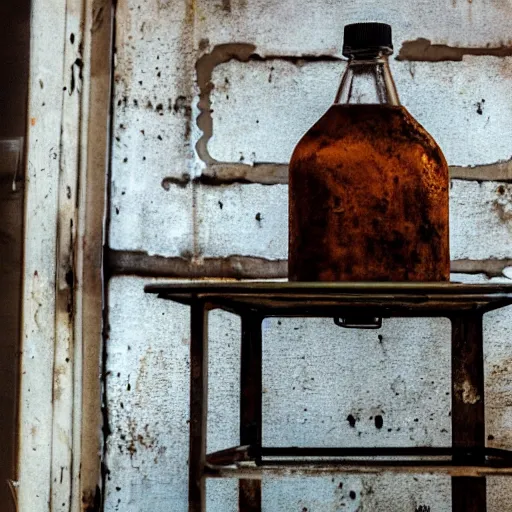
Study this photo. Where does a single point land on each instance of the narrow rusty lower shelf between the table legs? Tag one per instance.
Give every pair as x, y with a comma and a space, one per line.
251, 463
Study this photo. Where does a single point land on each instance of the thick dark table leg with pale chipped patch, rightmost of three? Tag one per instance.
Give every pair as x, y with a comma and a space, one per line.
468, 415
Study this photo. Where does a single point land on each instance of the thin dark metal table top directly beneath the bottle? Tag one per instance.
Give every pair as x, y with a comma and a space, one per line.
301, 297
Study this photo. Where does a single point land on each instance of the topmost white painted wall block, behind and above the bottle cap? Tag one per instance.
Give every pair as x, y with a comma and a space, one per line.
287, 28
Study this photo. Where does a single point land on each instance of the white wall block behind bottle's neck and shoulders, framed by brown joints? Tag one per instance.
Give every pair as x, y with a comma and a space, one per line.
247, 95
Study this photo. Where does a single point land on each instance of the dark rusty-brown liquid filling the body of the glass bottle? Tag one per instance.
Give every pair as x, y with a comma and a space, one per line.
368, 199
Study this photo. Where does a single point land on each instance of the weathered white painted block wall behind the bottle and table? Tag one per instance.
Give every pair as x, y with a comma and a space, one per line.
210, 99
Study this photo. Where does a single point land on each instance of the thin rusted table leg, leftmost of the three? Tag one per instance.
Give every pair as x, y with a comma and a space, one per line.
198, 406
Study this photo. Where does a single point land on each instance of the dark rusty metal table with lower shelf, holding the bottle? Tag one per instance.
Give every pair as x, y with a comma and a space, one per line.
468, 461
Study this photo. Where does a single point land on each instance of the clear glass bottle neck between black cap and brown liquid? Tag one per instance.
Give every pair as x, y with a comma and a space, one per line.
367, 80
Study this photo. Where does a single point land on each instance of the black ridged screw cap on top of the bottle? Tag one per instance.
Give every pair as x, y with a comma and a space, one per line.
367, 38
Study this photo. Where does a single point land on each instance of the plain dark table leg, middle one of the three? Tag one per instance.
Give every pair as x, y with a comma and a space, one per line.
249, 494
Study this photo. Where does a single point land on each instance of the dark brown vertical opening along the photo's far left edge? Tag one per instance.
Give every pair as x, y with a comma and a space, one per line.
14, 70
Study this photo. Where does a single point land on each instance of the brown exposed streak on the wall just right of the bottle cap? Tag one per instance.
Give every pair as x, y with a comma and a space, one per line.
422, 49
